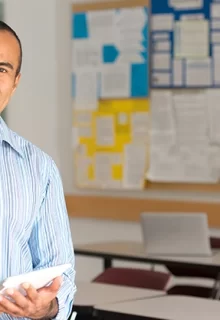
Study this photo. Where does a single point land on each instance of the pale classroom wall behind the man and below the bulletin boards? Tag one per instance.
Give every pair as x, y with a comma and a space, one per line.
41, 111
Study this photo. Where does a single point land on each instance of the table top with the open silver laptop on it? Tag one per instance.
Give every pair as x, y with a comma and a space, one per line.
135, 251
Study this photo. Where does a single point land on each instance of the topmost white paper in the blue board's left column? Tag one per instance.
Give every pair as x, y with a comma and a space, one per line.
162, 22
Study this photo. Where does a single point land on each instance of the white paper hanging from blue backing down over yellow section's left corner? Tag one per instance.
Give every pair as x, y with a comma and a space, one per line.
86, 97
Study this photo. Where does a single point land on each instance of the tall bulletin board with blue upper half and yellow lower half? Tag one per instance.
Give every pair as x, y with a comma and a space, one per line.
110, 92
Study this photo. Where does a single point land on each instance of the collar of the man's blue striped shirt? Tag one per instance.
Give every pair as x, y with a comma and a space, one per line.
7, 136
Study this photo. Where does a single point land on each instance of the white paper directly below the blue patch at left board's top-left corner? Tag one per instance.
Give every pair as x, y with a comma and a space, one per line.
86, 54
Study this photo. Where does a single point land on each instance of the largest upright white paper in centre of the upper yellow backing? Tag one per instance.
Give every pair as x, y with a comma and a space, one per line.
105, 131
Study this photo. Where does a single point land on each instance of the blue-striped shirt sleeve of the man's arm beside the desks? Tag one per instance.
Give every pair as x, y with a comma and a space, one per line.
51, 243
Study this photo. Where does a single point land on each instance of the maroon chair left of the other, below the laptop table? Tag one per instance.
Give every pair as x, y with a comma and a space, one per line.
138, 278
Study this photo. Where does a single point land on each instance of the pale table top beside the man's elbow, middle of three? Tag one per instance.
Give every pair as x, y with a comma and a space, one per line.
91, 294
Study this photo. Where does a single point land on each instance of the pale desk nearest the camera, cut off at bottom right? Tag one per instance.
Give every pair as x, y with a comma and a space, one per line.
166, 308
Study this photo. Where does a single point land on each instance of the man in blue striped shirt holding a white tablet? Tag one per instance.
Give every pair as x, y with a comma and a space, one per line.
34, 228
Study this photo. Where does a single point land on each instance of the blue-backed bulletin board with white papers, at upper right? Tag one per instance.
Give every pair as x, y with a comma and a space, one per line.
185, 43
